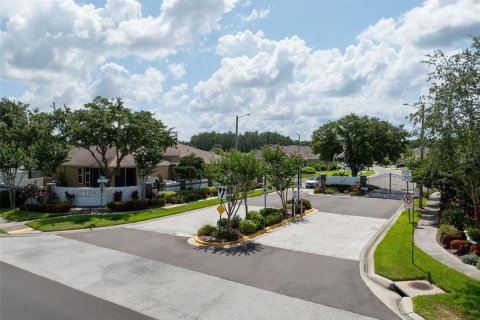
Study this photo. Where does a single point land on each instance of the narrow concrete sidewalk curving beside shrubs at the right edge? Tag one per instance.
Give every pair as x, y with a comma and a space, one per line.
425, 239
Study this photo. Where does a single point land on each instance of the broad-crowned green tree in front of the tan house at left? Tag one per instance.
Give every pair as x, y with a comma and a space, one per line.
106, 124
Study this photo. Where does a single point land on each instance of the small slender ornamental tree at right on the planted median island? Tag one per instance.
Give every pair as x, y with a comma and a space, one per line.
281, 169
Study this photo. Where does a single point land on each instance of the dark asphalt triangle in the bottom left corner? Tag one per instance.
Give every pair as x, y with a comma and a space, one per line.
26, 296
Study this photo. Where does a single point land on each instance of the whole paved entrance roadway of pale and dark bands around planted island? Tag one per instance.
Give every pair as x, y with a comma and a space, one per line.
150, 269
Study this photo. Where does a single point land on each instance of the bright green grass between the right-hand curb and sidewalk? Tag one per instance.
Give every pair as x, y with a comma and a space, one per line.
393, 261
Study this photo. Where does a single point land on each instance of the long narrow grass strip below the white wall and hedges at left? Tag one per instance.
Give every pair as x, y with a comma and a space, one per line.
105, 220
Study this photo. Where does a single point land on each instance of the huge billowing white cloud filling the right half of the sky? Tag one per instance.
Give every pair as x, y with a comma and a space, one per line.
287, 85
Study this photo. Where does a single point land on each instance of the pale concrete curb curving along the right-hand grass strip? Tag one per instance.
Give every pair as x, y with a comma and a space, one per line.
403, 306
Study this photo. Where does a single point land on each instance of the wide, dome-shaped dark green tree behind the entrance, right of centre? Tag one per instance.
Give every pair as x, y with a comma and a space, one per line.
363, 140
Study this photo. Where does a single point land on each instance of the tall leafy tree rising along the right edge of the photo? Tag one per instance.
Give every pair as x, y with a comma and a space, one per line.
451, 116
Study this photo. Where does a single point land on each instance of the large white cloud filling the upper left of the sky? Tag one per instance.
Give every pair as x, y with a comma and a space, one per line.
52, 45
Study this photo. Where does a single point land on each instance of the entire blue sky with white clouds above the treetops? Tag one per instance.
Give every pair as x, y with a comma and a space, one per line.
196, 64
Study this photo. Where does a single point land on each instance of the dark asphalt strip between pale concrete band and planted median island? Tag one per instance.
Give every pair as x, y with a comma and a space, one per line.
320, 279
